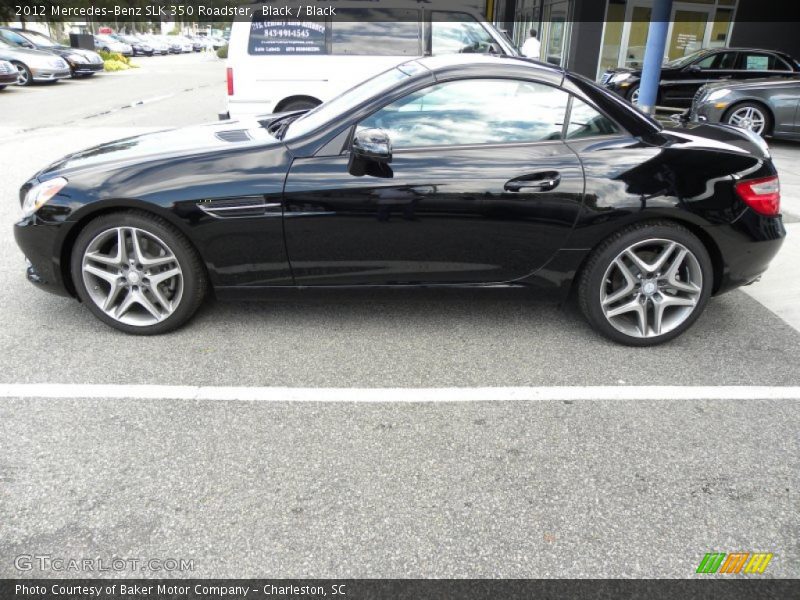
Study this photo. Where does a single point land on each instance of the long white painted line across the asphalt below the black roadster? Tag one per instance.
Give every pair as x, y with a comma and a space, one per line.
447, 394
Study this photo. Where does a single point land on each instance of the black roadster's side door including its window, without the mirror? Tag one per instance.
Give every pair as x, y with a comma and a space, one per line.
480, 189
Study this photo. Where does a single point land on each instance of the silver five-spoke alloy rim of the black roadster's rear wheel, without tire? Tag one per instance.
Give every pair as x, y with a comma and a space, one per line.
651, 288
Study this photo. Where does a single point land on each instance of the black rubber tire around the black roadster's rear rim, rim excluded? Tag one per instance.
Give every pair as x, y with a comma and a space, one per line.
591, 279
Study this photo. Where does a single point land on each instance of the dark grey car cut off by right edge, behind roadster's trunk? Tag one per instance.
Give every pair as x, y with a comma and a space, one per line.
764, 106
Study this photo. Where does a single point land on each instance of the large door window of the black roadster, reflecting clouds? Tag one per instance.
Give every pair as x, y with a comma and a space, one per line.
474, 111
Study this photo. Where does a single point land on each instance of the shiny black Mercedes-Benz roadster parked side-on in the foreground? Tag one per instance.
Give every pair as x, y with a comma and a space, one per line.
464, 170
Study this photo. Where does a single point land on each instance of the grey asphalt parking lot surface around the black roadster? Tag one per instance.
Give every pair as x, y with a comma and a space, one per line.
485, 488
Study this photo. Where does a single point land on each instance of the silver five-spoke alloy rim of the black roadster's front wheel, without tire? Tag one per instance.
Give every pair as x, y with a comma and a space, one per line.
132, 275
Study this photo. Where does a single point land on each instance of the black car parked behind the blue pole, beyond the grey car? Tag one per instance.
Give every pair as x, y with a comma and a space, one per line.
682, 77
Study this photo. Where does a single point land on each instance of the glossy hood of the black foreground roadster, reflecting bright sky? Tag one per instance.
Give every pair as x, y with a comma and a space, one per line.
187, 141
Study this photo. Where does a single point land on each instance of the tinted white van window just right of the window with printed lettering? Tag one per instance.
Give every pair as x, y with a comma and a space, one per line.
373, 31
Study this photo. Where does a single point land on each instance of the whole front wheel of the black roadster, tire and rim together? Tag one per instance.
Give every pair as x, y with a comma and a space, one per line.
137, 273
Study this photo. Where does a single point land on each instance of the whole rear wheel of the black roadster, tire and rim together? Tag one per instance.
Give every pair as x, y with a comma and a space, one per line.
646, 284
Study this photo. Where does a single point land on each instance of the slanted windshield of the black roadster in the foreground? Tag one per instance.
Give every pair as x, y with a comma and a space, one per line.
350, 99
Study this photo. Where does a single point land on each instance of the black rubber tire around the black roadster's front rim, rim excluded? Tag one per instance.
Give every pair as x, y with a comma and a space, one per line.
195, 283
